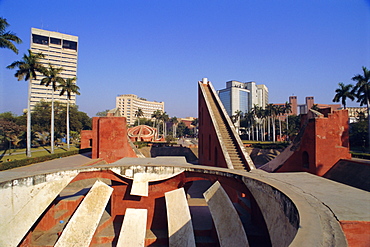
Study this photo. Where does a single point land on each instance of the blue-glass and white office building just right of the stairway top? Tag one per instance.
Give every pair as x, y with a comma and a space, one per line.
243, 96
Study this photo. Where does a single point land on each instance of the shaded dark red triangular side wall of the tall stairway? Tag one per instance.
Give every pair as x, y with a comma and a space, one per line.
209, 148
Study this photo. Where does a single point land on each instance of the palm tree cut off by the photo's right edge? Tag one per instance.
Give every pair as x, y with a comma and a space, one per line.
362, 92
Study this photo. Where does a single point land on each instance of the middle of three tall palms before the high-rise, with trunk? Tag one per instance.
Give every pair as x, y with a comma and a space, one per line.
52, 77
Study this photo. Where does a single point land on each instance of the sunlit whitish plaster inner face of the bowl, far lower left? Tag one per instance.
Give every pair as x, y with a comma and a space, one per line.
15, 226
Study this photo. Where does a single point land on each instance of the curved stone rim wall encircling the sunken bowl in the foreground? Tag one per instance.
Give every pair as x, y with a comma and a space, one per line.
292, 217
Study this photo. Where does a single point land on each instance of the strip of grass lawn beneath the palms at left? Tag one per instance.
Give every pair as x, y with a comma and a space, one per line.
19, 154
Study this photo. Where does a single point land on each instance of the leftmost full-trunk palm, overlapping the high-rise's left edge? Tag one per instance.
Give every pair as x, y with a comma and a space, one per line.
27, 68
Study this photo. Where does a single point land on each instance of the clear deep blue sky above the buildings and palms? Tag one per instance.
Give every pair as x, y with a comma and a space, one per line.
159, 49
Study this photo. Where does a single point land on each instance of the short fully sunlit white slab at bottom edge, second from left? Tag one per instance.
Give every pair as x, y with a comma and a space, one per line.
133, 228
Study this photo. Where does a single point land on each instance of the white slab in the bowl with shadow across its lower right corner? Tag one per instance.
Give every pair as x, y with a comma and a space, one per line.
180, 228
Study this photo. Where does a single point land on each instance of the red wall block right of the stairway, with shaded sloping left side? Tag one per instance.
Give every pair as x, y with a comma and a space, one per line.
324, 142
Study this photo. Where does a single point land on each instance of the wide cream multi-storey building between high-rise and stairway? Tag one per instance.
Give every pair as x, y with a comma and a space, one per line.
128, 104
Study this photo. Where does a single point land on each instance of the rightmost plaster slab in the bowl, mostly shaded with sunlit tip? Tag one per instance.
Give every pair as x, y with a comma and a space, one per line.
229, 228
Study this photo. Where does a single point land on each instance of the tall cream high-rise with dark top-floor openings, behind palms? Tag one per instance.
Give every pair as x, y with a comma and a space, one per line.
59, 50
